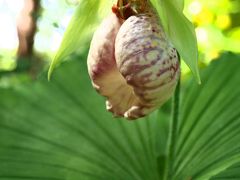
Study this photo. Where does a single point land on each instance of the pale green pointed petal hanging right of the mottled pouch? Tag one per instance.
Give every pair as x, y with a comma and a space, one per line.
181, 32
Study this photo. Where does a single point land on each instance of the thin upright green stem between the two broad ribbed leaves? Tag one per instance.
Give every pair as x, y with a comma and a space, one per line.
173, 133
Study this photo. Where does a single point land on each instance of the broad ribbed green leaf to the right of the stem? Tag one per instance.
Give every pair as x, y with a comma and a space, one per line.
209, 133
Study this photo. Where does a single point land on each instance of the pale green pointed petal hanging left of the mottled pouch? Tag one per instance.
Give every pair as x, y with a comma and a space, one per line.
81, 25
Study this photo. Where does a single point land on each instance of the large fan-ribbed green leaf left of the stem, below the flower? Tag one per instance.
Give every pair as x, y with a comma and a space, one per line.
61, 130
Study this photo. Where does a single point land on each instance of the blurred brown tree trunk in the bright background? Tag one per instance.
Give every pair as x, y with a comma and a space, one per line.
26, 28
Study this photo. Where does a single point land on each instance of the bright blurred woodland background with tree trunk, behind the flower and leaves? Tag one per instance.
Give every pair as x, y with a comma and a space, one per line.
31, 32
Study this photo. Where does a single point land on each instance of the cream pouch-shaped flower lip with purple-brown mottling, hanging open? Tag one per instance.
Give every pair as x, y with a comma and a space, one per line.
133, 64
